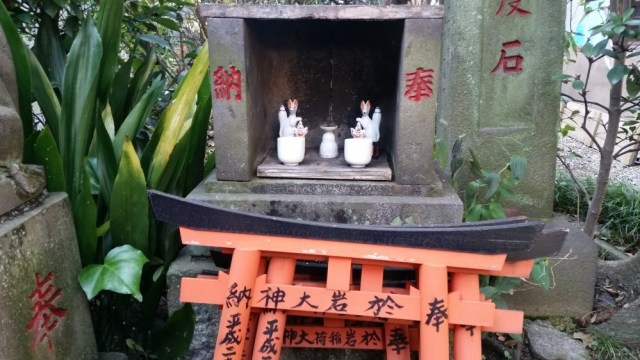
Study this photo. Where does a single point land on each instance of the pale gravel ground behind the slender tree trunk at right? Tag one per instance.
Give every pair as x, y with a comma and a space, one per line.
585, 161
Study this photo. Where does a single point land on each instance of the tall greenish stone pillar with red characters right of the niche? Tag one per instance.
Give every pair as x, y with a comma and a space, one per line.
498, 60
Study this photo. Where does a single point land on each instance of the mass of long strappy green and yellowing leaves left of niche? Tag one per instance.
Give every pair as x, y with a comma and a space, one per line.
100, 112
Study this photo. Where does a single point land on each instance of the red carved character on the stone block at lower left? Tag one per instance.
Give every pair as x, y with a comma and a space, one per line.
46, 315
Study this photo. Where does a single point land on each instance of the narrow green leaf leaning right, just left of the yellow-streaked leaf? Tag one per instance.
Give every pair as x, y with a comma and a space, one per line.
136, 118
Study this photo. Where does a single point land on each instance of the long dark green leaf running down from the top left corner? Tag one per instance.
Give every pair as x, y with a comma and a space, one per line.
21, 65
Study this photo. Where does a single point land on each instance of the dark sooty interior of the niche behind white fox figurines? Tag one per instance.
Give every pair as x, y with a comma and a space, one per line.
329, 66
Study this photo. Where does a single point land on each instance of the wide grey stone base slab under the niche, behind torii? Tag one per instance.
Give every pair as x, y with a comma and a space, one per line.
337, 201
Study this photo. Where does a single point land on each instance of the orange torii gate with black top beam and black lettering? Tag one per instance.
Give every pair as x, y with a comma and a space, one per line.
262, 287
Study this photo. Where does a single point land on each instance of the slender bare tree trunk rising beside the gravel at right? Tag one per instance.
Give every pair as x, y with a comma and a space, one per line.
606, 155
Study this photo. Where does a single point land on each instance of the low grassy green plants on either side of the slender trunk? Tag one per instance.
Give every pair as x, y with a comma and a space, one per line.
620, 217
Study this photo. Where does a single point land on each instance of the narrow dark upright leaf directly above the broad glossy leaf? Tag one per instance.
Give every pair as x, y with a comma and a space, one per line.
85, 214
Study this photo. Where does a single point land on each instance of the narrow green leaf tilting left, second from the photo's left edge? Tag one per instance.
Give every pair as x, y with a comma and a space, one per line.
44, 94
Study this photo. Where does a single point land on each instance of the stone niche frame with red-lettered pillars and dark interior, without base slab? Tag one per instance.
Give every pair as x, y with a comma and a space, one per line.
329, 58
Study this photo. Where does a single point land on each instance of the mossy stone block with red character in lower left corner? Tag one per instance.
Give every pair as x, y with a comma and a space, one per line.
32, 246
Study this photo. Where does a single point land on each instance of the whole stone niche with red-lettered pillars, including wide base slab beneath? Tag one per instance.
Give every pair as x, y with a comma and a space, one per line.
329, 58
